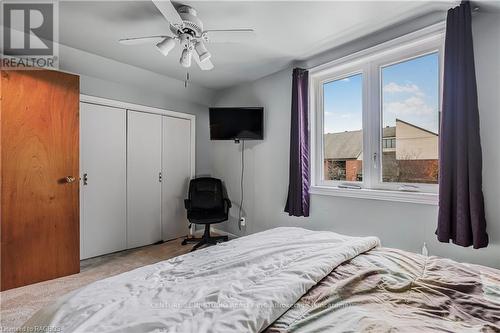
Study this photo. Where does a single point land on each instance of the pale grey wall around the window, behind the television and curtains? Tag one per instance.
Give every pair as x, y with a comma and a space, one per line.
399, 225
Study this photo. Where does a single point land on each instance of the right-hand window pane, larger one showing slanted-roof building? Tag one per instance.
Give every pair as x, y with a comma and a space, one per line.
410, 112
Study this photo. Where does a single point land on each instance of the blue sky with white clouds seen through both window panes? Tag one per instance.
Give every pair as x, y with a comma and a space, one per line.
410, 93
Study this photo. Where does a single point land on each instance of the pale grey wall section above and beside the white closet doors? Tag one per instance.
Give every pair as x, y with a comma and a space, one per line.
107, 78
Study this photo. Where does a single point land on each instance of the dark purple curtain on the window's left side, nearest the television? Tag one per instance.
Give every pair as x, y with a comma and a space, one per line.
297, 203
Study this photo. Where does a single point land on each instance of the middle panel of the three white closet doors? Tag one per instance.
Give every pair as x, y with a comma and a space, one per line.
143, 178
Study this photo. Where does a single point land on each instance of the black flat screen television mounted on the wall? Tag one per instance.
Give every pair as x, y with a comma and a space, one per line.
236, 123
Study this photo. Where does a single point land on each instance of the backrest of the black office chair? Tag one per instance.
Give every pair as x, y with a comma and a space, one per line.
206, 193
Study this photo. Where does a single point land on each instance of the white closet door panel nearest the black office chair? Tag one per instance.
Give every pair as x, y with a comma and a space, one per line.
176, 175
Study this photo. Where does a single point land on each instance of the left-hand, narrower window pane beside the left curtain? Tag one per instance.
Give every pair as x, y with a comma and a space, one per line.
343, 129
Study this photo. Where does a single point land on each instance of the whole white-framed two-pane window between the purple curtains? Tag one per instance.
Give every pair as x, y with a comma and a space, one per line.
375, 122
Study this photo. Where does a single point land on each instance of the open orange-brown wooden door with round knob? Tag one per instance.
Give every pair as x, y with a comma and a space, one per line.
39, 139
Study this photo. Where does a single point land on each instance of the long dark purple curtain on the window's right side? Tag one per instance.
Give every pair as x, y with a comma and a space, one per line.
461, 216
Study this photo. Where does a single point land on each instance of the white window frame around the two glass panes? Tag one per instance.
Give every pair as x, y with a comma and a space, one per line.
370, 63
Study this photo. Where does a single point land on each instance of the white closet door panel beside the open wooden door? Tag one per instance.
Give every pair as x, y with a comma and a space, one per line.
104, 179
